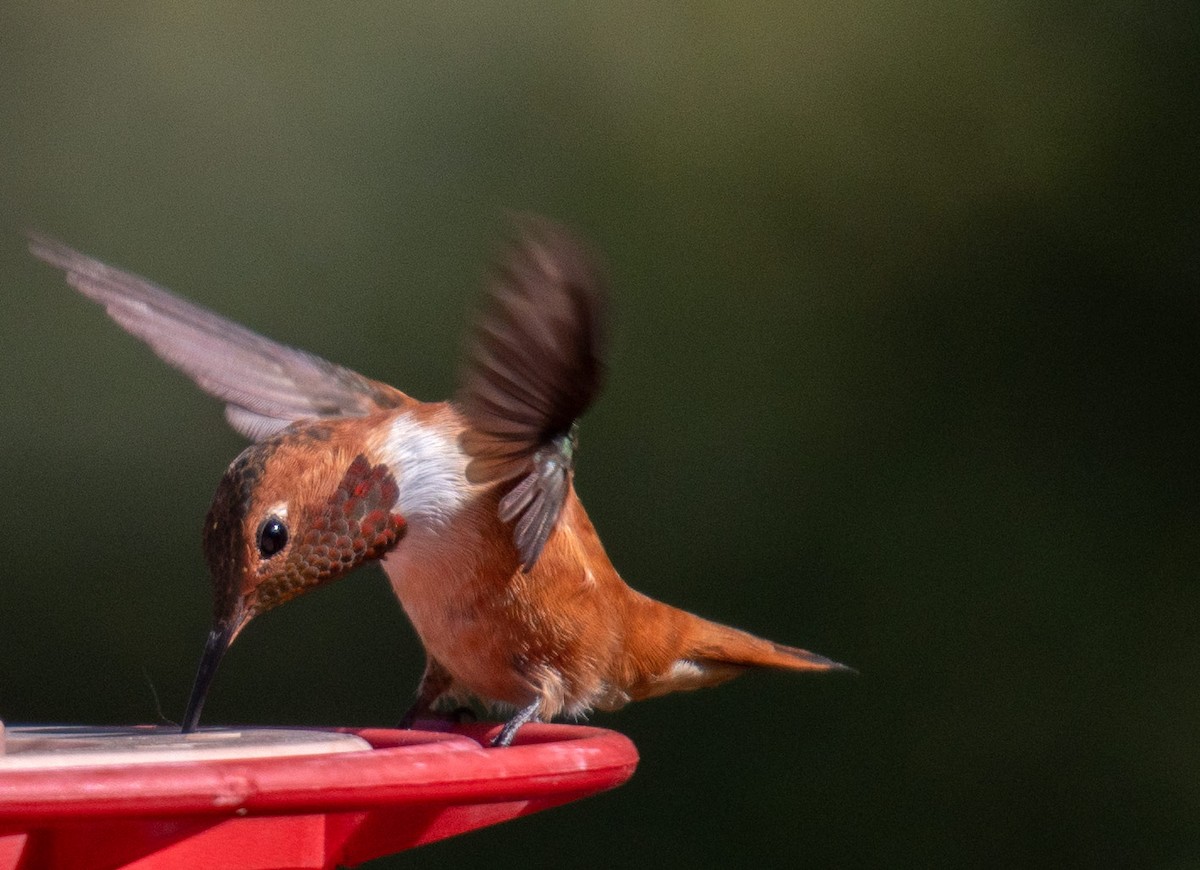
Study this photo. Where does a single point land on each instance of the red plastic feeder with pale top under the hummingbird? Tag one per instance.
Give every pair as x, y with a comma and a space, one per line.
256, 800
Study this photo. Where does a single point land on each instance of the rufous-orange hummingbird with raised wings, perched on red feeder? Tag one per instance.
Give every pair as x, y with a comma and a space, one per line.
470, 505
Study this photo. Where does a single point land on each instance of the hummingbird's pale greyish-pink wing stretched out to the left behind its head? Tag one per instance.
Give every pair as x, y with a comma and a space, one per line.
266, 386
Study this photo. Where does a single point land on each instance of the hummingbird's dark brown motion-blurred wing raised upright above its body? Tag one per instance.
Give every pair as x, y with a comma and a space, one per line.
535, 367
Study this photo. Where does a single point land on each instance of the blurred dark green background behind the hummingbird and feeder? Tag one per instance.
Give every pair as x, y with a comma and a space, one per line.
904, 373
